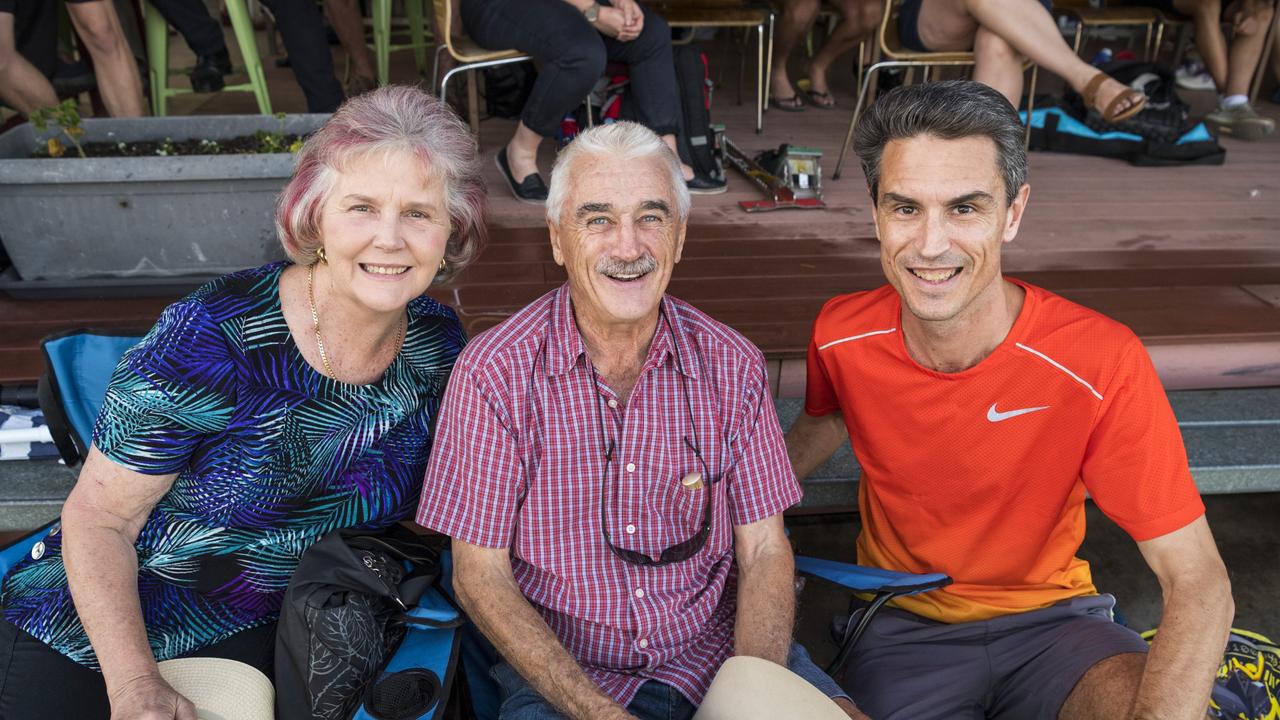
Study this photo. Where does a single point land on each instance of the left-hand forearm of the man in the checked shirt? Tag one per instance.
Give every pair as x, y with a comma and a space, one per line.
496, 604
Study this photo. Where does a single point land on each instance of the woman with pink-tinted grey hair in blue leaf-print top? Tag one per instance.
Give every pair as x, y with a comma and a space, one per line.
264, 411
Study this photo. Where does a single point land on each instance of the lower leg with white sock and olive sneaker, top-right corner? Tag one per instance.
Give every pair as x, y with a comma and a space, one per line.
1235, 117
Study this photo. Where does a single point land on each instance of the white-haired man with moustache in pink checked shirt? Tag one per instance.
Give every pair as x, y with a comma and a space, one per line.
611, 468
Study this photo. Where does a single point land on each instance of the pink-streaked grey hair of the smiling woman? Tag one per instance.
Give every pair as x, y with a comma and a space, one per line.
397, 119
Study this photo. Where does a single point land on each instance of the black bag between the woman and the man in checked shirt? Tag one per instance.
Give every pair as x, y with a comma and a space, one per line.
344, 617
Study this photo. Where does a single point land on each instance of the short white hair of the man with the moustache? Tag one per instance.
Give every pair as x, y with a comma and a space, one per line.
623, 142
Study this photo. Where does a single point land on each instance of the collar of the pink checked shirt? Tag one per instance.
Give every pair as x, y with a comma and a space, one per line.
565, 343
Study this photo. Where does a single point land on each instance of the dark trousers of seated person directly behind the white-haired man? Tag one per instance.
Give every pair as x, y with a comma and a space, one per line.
573, 57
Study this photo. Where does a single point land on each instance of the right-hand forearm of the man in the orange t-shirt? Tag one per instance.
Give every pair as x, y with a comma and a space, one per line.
1194, 627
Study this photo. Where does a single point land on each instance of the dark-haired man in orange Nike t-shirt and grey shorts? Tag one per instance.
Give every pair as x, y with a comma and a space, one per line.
981, 411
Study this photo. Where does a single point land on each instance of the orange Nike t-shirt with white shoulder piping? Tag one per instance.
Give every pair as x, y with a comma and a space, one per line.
982, 475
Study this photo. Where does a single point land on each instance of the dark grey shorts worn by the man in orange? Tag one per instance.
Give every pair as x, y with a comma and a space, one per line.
1013, 668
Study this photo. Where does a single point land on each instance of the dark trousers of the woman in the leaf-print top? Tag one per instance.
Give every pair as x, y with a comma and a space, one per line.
36, 681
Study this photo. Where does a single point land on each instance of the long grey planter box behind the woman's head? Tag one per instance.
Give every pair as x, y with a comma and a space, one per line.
75, 218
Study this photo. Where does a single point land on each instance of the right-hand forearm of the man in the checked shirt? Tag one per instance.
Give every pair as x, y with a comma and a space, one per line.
766, 608
